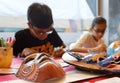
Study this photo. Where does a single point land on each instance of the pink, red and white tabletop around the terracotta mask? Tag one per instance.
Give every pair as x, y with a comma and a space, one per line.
72, 75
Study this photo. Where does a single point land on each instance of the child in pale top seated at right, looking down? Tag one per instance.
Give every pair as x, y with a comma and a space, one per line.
92, 41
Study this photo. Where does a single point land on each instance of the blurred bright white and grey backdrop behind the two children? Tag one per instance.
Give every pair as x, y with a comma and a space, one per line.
71, 17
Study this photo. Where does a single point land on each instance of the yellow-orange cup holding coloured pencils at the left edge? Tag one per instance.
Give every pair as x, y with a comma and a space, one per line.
6, 52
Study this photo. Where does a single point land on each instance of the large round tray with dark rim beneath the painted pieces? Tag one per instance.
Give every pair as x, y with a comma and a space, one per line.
93, 68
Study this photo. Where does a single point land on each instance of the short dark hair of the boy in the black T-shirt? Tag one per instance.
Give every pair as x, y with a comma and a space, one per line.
40, 15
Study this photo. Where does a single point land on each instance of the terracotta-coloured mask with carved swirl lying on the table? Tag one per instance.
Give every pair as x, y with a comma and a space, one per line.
39, 67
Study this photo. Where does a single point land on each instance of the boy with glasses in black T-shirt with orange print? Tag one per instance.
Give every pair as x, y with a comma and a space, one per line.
40, 36
